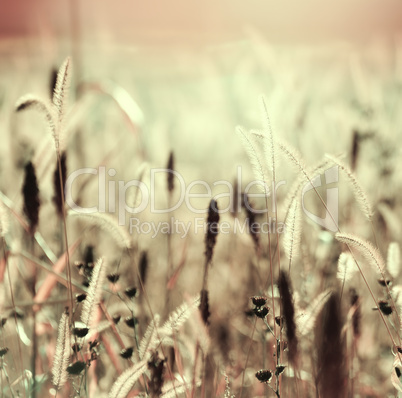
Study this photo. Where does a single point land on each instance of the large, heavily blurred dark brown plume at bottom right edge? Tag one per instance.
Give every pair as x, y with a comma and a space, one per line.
331, 370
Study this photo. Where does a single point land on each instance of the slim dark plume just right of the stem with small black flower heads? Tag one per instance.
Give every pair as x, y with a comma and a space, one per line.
288, 313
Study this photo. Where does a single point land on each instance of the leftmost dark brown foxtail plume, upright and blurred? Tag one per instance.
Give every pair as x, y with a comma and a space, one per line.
30, 193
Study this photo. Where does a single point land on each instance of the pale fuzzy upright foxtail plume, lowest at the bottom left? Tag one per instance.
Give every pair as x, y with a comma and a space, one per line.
62, 354
